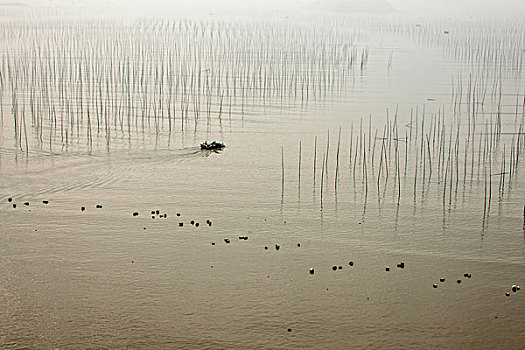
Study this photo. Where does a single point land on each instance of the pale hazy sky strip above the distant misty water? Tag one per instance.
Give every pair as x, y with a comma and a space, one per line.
439, 7
